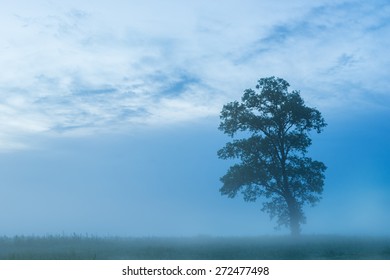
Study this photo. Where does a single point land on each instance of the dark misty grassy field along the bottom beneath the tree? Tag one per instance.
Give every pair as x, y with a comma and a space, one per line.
196, 248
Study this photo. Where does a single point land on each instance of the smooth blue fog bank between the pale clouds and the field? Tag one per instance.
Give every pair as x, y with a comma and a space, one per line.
166, 183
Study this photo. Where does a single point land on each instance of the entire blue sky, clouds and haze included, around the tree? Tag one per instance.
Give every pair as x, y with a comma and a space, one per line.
109, 112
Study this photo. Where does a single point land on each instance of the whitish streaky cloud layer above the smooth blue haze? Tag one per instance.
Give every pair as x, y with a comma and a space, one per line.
76, 68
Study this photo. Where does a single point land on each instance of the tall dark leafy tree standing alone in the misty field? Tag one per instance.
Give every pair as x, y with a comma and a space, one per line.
272, 161
